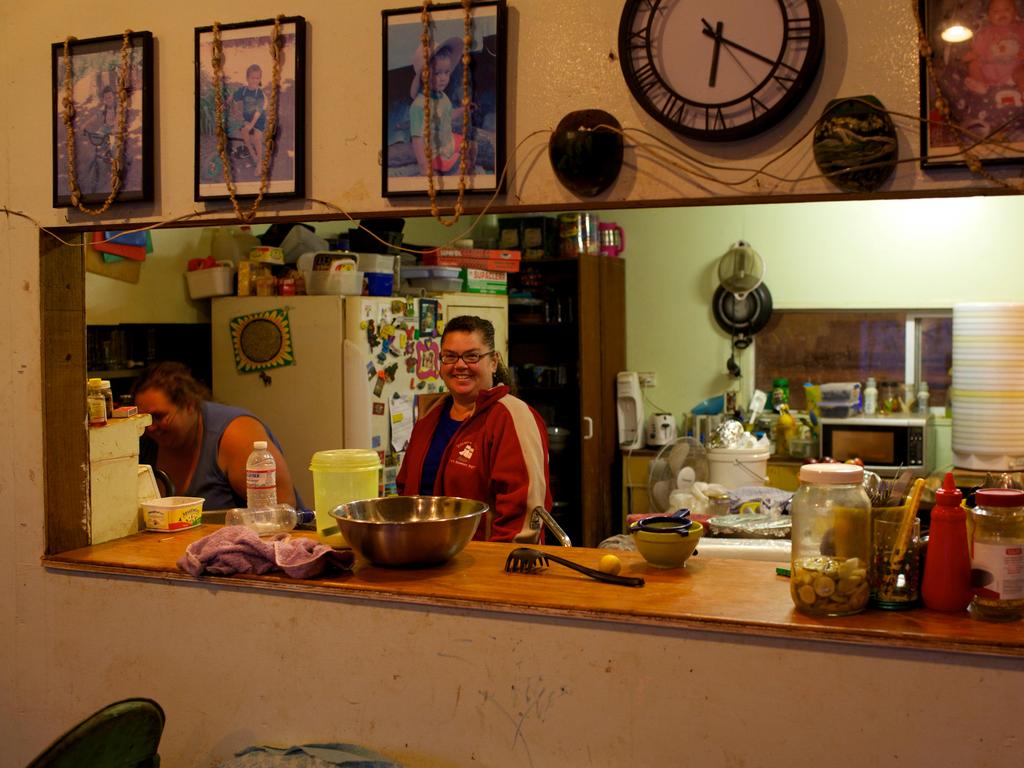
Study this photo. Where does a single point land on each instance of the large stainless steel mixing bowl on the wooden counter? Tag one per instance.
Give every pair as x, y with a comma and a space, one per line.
409, 530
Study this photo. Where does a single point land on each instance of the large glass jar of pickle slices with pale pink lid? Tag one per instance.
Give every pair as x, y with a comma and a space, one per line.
832, 541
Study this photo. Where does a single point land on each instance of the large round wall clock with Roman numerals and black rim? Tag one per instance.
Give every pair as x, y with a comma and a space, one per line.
720, 70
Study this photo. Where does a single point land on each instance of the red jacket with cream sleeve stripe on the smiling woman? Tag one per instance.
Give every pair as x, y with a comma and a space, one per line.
499, 456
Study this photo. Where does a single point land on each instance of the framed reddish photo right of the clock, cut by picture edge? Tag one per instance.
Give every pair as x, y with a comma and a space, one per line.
983, 78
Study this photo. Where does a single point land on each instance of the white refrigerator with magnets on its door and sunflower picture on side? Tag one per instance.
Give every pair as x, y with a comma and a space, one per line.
330, 372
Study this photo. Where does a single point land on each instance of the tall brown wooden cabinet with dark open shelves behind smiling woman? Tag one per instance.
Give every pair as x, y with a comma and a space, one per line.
567, 345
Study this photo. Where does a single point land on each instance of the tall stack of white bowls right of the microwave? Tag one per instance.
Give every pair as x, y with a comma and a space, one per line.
988, 391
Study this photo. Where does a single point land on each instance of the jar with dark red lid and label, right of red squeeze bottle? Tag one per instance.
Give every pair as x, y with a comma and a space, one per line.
997, 544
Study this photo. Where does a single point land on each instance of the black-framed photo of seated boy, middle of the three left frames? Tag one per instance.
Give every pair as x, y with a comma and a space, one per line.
246, 87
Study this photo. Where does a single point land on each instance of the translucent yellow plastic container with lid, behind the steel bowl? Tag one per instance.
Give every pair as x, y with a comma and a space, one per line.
340, 477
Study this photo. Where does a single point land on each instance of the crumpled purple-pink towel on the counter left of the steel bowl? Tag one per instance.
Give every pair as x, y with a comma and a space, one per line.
236, 549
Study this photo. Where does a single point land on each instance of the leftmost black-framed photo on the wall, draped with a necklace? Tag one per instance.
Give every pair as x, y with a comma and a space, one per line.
95, 67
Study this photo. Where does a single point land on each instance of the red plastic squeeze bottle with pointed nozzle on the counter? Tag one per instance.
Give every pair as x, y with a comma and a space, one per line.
948, 568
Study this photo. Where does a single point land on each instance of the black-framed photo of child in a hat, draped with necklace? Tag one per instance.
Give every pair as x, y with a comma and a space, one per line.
404, 157
